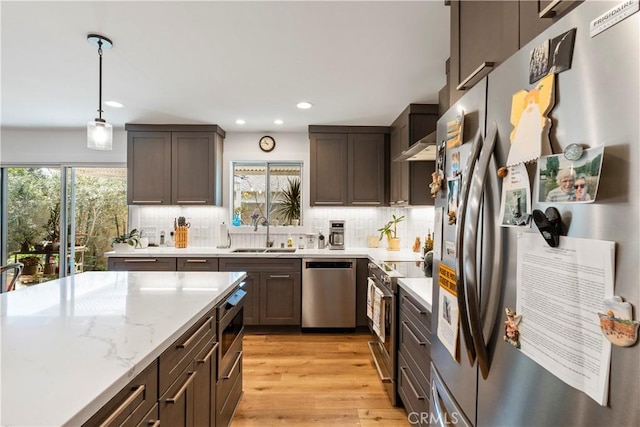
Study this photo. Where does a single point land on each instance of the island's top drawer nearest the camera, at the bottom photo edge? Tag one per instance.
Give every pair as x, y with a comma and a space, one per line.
131, 404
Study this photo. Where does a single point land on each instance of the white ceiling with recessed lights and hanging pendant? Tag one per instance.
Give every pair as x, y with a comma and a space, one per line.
211, 62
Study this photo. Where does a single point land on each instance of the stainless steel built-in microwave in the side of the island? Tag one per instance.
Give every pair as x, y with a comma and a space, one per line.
230, 330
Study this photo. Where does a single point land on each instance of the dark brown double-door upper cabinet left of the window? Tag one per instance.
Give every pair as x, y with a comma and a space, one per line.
174, 164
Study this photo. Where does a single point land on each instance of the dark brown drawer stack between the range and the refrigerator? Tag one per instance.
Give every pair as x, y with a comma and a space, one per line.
414, 360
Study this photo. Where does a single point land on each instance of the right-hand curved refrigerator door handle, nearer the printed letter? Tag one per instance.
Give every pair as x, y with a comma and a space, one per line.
471, 272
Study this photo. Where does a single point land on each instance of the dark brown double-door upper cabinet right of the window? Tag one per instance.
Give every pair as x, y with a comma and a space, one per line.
348, 165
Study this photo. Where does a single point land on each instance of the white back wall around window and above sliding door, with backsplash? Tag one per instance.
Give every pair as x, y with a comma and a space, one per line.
69, 147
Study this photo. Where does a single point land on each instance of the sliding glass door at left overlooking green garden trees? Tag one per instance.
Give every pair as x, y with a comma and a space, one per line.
42, 201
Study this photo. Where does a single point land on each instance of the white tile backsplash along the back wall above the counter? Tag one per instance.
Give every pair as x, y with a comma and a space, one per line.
205, 224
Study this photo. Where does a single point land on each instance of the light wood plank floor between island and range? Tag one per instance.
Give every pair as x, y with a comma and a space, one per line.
312, 379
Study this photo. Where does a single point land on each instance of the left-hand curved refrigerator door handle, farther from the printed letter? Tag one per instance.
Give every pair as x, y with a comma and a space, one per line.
460, 247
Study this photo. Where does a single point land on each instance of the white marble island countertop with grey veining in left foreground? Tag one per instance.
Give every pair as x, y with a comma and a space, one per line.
69, 345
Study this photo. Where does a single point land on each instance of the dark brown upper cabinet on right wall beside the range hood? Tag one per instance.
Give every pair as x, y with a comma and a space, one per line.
409, 180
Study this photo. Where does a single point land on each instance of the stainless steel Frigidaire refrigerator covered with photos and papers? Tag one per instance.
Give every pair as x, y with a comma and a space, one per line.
596, 102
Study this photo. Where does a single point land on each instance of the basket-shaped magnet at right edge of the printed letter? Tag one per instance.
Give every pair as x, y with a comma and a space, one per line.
616, 324
